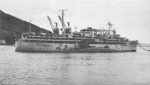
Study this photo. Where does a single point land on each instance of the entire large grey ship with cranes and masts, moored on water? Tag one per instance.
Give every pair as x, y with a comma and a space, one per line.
89, 40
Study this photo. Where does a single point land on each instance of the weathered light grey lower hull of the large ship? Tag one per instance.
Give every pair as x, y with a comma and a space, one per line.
22, 46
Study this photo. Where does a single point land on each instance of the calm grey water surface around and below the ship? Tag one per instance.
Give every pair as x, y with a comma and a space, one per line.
131, 68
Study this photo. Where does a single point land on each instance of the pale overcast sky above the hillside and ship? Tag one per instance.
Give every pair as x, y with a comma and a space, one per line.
131, 18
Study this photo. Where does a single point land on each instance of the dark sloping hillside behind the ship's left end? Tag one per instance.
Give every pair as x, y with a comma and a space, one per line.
11, 26
